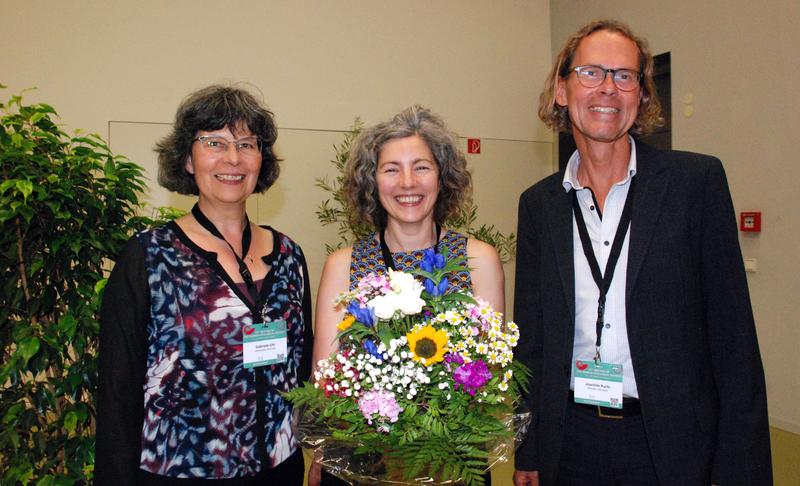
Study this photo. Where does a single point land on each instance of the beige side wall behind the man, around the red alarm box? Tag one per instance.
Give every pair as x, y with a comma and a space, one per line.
734, 67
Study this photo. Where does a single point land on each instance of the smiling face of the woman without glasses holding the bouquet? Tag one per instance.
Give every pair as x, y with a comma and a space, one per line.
408, 181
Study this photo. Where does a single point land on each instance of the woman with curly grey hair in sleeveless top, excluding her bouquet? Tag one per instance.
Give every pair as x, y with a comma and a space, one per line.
405, 176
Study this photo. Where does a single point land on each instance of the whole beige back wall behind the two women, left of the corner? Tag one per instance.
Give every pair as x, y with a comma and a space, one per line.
120, 68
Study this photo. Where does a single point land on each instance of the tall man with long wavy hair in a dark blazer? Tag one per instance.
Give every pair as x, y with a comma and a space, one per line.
631, 294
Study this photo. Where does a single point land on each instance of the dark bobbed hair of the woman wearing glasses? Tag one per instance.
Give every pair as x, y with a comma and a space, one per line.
213, 108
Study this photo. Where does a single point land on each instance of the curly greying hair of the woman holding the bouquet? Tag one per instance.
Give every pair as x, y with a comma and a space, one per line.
360, 184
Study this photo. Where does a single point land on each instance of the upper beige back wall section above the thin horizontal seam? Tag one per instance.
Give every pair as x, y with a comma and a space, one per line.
318, 63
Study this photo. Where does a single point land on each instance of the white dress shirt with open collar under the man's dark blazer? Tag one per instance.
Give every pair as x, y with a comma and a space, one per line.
614, 346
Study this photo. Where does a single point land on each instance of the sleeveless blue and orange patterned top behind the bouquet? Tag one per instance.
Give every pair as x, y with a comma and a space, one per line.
367, 258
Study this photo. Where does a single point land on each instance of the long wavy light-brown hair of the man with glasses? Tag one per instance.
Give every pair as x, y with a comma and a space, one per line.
557, 117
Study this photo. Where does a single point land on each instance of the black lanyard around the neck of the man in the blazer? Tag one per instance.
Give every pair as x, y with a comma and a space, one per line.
603, 280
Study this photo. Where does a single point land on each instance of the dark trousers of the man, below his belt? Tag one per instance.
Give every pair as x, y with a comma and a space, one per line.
604, 451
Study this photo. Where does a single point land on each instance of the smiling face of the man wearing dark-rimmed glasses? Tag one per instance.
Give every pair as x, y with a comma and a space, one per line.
605, 113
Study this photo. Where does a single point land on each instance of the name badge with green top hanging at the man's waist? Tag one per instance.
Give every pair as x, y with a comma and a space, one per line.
598, 383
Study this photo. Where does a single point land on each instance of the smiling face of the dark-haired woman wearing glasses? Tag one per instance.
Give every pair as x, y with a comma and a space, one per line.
228, 177
